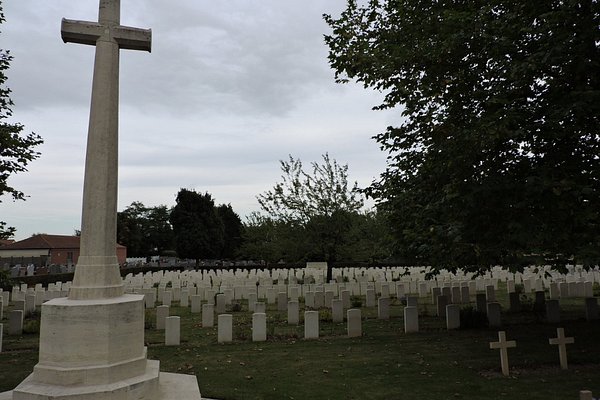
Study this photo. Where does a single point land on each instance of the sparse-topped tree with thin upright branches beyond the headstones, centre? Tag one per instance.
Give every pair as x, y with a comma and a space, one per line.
312, 215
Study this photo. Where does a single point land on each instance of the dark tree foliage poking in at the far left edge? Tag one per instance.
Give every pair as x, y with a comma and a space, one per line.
16, 148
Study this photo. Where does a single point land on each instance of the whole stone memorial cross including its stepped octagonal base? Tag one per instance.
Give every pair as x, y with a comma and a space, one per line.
92, 343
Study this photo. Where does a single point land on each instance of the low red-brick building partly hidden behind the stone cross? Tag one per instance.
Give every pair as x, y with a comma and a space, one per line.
45, 249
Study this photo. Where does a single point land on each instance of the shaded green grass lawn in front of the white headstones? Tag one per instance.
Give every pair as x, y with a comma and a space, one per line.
385, 363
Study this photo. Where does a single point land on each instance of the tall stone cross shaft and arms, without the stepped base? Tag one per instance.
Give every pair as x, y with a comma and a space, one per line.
97, 272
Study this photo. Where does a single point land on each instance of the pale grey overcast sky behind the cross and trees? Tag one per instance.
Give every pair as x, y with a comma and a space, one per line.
230, 88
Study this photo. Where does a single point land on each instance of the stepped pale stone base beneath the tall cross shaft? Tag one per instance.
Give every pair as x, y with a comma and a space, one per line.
94, 350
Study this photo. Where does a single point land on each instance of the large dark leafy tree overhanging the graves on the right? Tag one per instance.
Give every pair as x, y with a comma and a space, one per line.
497, 158
